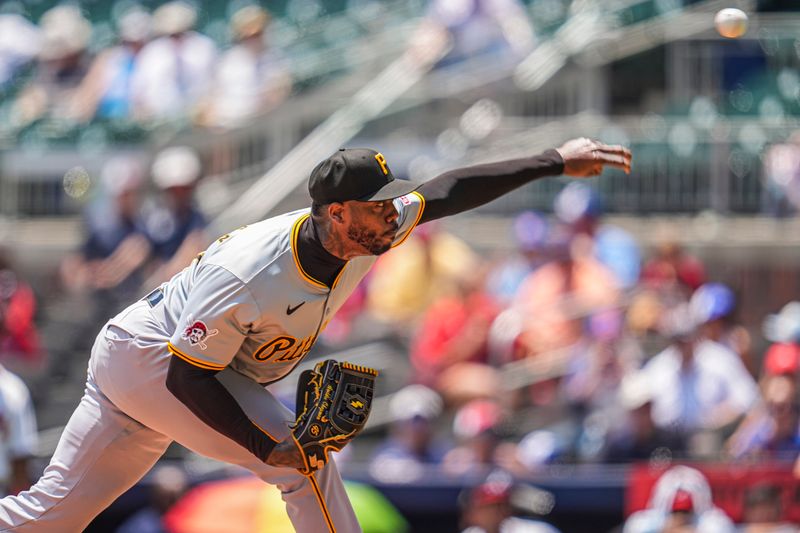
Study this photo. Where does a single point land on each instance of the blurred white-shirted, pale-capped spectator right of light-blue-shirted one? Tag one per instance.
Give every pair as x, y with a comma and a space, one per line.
175, 70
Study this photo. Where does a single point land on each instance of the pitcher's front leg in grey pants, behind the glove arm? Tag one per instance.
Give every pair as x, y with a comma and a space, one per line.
315, 504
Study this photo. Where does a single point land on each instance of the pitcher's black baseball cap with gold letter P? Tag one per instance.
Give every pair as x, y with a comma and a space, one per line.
356, 174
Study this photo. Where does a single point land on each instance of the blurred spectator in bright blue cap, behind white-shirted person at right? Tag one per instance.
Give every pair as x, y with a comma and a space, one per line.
713, 305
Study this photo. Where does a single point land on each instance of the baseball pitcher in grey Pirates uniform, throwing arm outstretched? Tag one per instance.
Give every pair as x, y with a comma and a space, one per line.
193, 360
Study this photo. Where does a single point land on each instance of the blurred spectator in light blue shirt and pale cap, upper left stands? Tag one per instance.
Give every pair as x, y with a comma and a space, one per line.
106, 91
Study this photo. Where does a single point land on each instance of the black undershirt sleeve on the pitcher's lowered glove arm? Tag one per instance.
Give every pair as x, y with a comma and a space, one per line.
199, 390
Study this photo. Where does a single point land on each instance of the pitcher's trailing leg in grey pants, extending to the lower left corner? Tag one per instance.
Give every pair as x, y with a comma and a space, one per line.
102, 453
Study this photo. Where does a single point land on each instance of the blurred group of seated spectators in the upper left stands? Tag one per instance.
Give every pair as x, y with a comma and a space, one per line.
157, 68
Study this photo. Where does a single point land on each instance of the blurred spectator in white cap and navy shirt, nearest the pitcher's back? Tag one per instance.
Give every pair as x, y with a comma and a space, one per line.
175, 226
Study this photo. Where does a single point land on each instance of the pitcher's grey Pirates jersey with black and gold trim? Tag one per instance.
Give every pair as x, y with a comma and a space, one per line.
247, 303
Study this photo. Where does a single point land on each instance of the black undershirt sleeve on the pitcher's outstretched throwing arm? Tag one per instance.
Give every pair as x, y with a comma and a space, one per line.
463, 189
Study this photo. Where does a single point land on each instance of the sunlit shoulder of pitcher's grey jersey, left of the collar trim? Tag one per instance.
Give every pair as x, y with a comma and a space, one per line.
250, 250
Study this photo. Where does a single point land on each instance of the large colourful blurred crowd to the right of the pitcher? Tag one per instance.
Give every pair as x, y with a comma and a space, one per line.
578, 347
